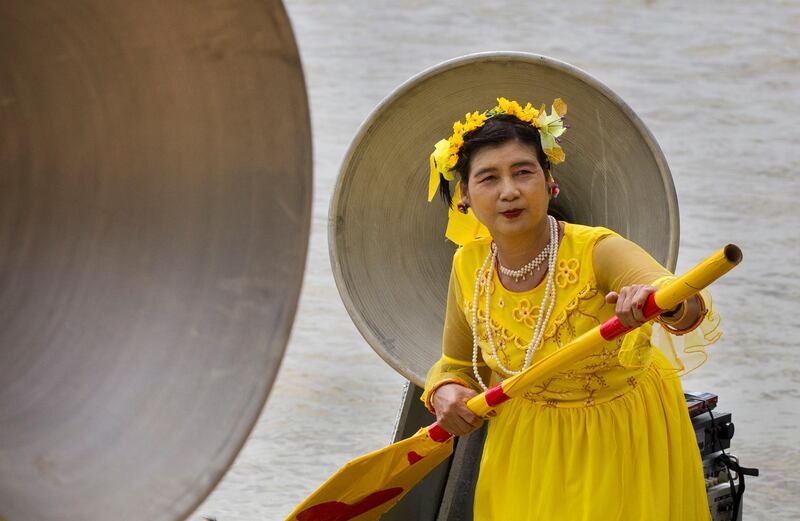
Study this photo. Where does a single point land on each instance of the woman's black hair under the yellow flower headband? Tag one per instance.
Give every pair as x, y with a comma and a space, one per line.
496, 131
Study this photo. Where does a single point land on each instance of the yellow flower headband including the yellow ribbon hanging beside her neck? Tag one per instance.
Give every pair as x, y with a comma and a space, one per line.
465, 227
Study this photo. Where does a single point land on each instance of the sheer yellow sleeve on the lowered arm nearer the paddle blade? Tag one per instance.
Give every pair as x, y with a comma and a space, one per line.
455, 364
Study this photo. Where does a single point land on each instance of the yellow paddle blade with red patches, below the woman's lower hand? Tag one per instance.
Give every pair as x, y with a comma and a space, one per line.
369, 486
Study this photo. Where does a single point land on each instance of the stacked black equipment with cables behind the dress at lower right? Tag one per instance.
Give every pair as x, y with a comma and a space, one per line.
723, 474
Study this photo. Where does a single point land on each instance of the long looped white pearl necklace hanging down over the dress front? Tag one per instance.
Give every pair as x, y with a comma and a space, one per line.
548, 300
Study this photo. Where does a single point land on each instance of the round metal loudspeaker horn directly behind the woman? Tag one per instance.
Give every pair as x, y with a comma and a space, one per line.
390, 259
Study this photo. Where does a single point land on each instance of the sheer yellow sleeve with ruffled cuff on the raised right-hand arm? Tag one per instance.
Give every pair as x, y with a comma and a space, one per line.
619, 263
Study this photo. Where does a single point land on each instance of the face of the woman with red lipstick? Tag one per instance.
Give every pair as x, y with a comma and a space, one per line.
507, 189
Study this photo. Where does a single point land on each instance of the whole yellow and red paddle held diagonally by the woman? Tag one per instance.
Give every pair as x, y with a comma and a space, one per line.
367, 487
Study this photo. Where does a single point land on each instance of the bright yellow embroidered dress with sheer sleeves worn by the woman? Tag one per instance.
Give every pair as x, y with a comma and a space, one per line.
608, 439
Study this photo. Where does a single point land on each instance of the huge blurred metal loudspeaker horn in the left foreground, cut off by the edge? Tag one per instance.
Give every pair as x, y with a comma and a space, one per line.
155, 179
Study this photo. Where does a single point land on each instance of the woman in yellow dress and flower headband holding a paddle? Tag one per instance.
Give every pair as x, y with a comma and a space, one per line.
610, 438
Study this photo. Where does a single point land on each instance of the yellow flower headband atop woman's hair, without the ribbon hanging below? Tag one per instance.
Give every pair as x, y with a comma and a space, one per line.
445, 154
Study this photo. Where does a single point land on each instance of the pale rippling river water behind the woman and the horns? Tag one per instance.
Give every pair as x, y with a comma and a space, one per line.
718, 84
